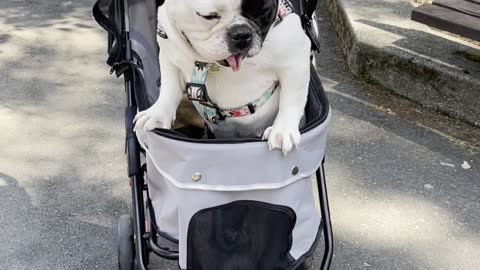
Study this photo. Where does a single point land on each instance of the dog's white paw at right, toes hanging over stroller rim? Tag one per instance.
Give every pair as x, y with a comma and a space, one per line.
281, 137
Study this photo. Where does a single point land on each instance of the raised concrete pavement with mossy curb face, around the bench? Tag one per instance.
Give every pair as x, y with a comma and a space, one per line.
434, 68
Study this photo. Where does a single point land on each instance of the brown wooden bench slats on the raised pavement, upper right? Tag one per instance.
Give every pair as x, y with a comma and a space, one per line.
461, 17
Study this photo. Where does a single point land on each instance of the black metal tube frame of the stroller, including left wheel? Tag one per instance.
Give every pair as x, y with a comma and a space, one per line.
137, 239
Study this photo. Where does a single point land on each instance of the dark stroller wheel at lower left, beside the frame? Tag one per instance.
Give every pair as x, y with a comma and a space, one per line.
126, 248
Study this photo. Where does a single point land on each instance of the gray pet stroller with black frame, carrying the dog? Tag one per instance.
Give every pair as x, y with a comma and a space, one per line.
214, 204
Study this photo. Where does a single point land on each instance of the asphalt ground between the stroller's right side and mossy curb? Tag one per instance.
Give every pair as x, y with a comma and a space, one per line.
394, 205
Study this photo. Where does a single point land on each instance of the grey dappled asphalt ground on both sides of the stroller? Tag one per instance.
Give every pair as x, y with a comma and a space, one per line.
62, 168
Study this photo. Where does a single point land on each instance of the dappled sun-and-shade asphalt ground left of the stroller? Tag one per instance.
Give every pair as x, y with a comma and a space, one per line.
63, 182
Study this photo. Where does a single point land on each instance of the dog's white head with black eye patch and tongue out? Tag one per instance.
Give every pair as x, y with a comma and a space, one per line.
224, 31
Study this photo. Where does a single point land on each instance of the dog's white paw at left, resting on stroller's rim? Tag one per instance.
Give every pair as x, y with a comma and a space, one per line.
152, 118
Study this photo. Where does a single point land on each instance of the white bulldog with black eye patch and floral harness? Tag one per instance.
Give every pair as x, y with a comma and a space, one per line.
245, 64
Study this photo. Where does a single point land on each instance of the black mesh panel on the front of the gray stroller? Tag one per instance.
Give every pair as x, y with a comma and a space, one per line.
243, 235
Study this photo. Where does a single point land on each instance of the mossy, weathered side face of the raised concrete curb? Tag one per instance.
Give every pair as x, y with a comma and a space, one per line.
448, 90
